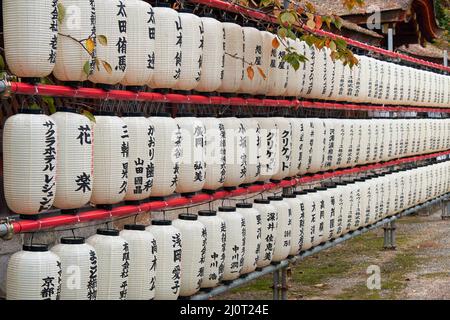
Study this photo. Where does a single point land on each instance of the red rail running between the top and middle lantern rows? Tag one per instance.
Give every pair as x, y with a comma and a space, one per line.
94, 93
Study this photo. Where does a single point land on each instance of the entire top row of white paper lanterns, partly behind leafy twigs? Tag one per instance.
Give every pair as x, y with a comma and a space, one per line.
163, 48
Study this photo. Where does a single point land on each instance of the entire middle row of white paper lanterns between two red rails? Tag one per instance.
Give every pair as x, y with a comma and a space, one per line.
67, 161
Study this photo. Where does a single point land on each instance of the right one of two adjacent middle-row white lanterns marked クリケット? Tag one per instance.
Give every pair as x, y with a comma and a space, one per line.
284, 145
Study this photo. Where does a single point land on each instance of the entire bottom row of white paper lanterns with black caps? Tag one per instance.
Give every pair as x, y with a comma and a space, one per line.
163, 264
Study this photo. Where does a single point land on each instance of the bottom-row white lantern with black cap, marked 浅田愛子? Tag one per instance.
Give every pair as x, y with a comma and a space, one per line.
168, 267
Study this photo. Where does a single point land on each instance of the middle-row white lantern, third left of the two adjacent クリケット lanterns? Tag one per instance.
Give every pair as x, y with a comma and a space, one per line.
215, 152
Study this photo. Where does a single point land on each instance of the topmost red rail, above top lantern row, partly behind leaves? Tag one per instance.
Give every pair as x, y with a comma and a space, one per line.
223, 5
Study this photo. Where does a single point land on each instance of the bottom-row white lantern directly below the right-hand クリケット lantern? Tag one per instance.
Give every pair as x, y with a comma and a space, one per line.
284, 228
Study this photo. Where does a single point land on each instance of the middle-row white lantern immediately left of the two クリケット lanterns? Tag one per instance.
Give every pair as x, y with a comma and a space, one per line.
253, 133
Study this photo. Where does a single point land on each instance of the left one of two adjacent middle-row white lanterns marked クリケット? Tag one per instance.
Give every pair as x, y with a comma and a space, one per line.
269, 150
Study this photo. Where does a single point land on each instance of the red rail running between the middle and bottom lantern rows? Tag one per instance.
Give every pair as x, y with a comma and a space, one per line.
128, 210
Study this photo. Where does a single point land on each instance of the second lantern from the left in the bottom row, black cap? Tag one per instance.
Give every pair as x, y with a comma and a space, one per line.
77, 257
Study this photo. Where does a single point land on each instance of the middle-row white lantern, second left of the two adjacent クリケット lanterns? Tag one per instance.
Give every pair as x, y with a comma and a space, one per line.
236, 150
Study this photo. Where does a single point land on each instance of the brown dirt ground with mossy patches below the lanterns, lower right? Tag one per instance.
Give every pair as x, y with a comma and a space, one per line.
418, 269
